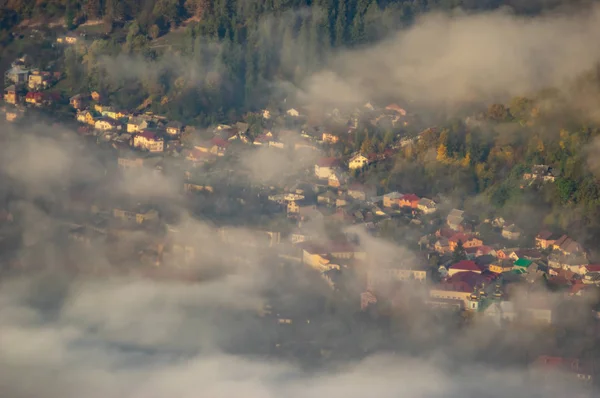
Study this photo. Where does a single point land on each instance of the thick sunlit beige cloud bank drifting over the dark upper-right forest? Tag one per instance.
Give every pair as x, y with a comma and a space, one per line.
448, 59
